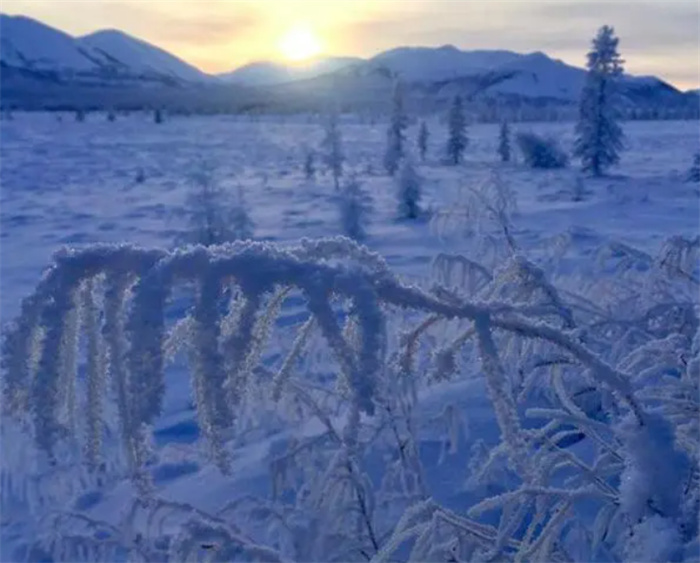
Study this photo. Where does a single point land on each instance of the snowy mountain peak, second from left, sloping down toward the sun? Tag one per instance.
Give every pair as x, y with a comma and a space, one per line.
139, 57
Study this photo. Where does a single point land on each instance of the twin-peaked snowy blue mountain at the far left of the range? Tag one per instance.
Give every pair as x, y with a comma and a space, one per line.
29, 46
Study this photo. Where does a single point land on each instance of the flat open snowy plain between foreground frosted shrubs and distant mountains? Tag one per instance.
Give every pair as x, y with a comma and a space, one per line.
76, 183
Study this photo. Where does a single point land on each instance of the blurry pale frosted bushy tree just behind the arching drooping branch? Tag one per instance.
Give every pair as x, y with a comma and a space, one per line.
215, 215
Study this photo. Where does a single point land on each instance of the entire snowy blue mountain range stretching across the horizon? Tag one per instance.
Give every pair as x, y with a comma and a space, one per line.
45, 67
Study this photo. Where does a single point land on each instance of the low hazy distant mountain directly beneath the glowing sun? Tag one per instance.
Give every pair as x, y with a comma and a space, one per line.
267, 73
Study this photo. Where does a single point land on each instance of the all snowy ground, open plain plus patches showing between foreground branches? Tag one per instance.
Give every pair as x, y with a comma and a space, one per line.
69, 183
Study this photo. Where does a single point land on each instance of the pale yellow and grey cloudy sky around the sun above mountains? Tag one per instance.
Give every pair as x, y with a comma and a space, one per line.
657, 37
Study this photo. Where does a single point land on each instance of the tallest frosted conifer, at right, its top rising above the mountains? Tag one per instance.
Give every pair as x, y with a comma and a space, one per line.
599, 137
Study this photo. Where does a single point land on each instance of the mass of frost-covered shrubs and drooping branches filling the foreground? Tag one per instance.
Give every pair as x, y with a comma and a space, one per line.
591, 388
